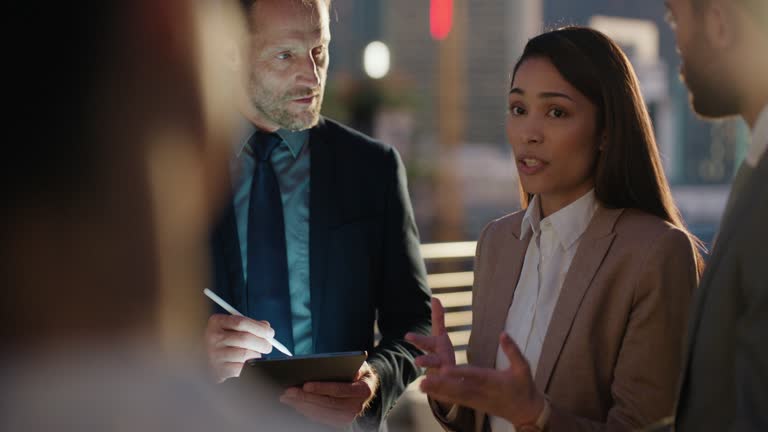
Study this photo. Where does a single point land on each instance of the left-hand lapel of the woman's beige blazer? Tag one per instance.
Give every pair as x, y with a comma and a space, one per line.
506, 272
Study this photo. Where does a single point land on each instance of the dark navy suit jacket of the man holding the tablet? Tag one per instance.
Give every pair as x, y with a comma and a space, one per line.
365, 263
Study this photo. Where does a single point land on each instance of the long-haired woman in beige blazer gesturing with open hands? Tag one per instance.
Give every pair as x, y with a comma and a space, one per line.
580, 301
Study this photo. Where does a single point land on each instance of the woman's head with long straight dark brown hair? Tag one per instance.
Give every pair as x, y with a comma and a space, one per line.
577, 121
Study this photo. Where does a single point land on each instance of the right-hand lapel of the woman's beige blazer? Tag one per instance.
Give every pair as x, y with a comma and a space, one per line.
589, 256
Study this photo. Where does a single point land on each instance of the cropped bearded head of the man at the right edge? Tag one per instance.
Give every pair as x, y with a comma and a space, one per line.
722, 45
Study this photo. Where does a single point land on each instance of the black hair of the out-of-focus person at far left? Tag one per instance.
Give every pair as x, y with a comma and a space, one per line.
49, 152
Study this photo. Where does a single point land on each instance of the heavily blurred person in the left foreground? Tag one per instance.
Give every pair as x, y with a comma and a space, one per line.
117, 148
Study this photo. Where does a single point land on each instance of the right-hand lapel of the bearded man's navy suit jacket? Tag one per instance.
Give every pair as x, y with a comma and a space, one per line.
321, 172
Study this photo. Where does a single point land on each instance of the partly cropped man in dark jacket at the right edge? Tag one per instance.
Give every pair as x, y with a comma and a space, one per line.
723, 47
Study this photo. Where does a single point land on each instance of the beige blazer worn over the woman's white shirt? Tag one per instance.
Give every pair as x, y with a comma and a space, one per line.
613, 350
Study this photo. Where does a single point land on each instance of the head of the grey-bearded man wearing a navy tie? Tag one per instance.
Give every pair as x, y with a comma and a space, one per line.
283, 62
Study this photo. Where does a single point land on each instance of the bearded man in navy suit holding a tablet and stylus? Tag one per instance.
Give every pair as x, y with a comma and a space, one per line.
318, 240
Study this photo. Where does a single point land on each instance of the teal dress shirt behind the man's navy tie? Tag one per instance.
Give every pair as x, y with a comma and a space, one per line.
291, 162
